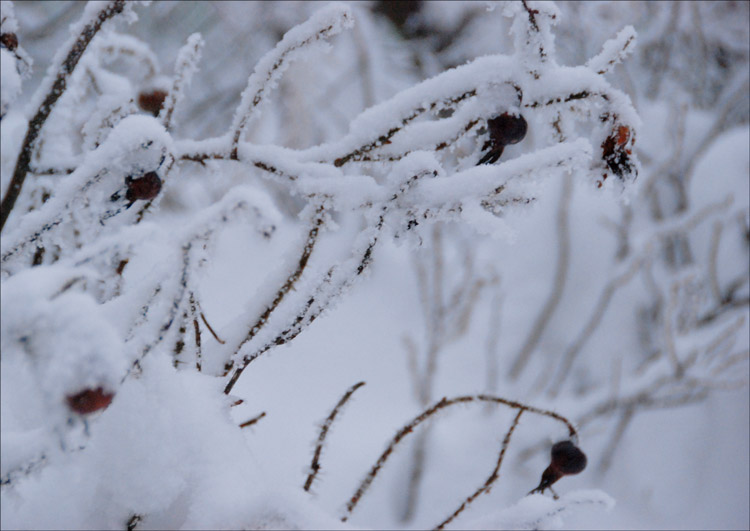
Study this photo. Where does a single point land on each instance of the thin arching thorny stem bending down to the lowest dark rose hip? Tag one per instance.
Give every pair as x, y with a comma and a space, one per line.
419, 419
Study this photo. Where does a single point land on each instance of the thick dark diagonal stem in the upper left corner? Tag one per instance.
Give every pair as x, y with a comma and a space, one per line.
58, 88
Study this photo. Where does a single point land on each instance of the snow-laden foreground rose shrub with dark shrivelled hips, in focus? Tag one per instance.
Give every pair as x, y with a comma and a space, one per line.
116, 386
